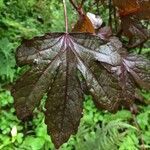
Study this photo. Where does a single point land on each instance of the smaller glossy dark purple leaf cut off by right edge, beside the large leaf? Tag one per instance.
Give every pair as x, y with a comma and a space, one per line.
132, 73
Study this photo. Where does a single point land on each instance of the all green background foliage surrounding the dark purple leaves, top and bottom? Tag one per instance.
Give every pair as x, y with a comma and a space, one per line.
98, 130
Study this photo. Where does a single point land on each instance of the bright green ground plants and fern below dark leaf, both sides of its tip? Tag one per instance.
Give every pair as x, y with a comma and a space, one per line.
98, 129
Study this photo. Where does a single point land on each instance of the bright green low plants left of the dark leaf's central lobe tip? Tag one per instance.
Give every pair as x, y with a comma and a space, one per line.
13, 132
